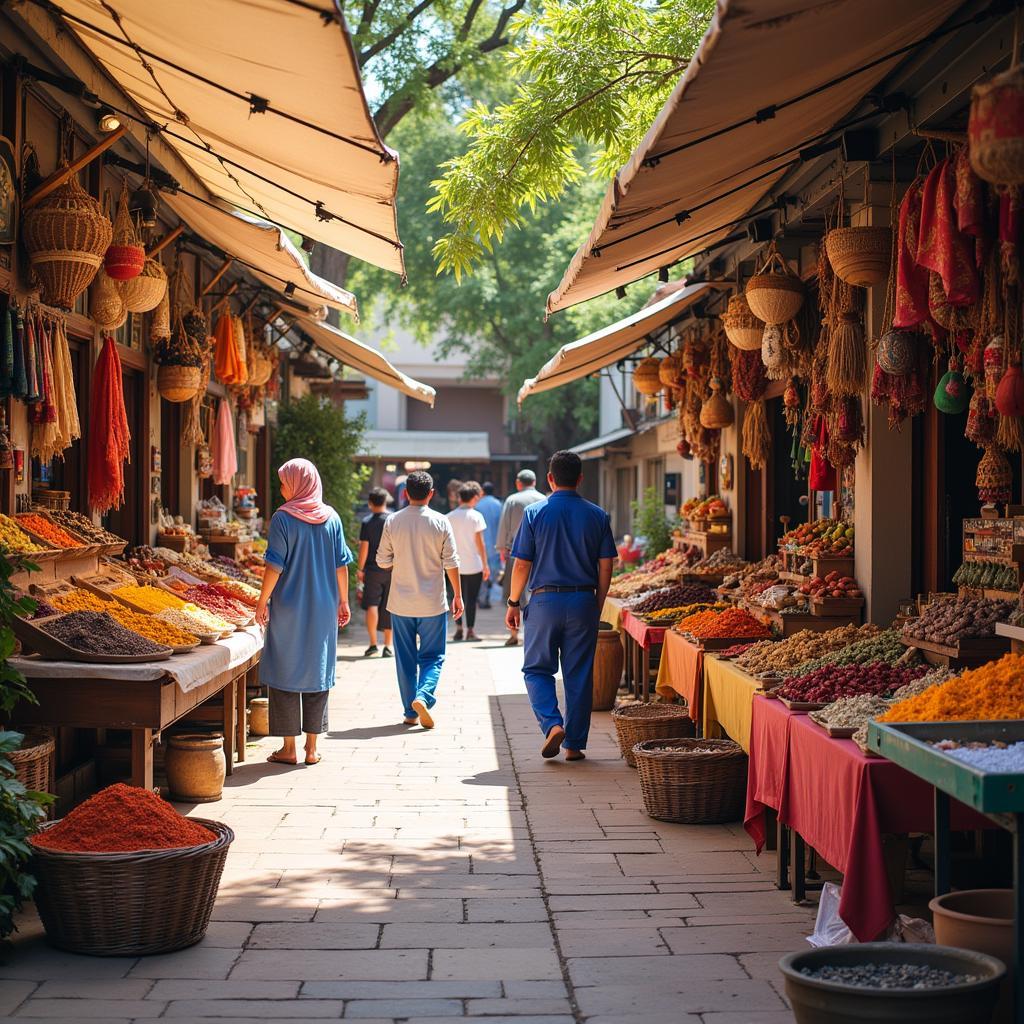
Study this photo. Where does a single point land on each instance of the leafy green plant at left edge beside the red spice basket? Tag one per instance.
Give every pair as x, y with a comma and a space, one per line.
21, 809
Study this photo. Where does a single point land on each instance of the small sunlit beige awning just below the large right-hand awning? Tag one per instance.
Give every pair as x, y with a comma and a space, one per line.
612, 344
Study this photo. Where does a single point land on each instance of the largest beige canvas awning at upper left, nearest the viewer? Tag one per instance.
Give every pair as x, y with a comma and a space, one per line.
265, 103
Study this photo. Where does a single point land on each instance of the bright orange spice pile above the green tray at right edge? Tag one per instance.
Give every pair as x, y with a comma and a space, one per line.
991, 693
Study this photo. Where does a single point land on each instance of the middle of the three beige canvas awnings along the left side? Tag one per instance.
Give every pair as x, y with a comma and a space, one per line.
270, 254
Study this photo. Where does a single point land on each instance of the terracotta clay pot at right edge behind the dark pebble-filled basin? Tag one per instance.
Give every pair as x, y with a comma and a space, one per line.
982, 920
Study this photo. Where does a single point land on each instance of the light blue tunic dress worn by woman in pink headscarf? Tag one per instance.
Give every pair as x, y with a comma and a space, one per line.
303, 636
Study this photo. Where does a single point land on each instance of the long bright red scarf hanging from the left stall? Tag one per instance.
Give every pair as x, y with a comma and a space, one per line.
109, 435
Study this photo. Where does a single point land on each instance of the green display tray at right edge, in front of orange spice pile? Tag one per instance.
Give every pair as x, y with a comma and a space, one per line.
909, 745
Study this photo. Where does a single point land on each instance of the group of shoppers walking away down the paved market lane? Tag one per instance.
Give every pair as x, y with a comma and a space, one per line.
414, 566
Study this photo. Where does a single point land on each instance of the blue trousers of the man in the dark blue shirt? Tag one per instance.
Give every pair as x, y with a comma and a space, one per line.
562, 628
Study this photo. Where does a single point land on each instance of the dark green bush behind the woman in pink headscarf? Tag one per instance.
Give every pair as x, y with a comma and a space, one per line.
313, 429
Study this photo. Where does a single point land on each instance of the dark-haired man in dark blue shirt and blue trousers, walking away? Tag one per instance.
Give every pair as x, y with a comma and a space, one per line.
564, 552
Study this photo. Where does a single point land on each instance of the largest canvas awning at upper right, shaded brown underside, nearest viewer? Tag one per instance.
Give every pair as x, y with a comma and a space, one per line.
754, 56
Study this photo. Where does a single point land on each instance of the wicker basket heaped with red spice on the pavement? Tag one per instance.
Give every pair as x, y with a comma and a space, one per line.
124, 875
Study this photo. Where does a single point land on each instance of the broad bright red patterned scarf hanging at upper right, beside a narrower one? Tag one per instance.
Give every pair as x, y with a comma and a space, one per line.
942, 246
